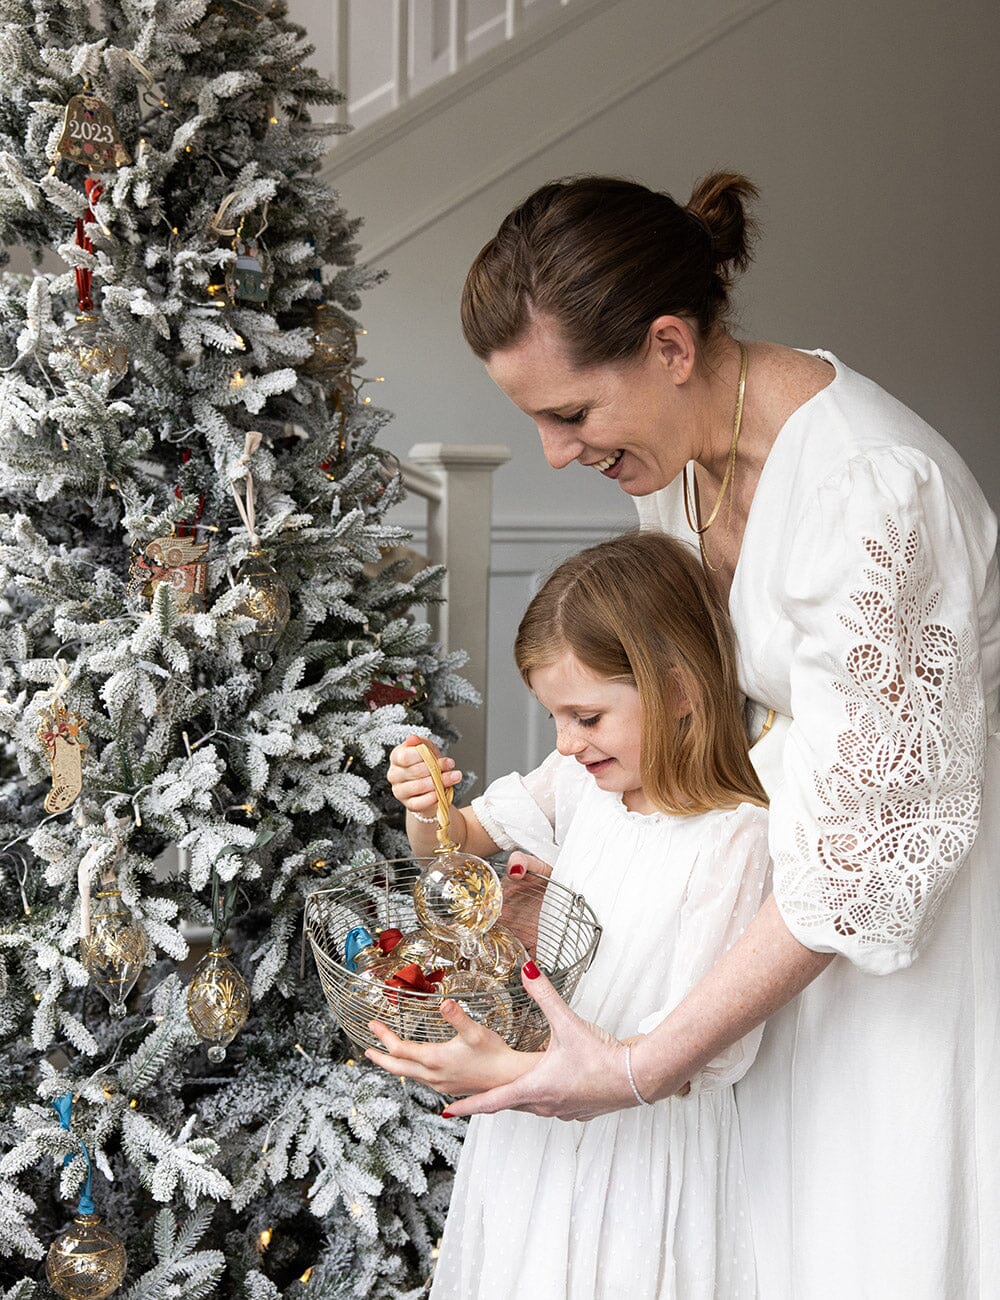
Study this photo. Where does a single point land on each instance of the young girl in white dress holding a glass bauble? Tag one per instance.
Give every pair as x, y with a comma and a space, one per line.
657, 818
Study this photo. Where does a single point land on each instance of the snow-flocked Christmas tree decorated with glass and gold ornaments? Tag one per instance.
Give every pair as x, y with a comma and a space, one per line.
204, 660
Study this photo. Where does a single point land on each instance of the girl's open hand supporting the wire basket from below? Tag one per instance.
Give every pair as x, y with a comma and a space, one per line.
477, 1059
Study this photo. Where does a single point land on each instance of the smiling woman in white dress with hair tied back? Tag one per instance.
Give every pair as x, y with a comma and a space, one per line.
858, 557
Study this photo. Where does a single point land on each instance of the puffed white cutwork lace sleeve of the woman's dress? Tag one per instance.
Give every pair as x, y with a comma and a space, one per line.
884, 762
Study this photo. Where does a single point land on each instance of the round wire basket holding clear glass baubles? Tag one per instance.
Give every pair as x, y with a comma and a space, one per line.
556, 925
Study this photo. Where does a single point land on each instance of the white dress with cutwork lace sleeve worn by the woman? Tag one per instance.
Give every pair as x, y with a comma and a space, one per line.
867, 610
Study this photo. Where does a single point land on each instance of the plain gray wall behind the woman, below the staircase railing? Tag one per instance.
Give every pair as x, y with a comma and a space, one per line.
872, 135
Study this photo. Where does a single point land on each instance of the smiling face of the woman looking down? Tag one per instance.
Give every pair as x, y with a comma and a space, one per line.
618, 419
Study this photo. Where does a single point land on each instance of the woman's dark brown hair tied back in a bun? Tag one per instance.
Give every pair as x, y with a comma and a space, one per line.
604, 258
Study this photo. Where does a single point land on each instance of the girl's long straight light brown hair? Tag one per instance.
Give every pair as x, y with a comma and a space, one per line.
638, 609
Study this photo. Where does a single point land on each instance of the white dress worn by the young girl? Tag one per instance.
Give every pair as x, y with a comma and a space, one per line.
650, 1203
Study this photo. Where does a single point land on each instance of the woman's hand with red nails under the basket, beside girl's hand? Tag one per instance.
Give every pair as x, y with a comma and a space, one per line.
582, 1074
